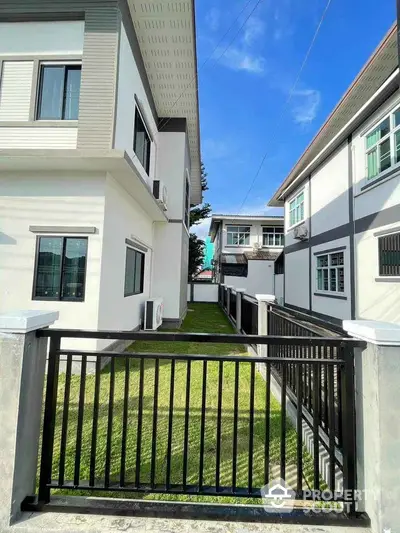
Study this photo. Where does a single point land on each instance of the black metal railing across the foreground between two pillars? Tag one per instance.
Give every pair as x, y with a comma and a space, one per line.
219, 441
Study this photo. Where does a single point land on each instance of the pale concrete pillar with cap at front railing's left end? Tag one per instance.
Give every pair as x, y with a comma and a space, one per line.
22, 372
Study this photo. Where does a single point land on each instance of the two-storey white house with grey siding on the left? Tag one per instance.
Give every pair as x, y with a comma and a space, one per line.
98, 102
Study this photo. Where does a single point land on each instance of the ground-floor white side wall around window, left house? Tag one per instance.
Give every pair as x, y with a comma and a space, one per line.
123, 218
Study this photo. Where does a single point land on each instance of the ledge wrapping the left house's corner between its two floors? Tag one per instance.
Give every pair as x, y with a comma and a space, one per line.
115, 162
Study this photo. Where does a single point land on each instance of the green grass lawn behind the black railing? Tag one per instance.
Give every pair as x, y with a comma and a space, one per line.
201, 318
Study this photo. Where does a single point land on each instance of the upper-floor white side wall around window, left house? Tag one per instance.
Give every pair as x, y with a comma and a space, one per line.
129, 84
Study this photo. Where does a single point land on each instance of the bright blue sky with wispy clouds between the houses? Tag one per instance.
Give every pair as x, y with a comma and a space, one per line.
244, 91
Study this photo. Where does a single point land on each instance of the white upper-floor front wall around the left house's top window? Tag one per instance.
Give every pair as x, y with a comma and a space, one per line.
45, 40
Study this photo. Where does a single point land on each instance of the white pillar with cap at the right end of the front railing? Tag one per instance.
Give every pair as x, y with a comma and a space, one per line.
377, 378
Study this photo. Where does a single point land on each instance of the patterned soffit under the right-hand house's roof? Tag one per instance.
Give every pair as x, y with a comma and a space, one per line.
380, 66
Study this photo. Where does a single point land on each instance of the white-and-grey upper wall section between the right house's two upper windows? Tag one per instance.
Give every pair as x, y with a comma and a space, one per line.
329, 193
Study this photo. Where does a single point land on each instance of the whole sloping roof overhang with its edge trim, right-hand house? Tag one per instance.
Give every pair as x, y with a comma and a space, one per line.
374, 84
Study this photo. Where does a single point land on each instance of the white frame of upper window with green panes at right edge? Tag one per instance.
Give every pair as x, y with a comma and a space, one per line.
391, 136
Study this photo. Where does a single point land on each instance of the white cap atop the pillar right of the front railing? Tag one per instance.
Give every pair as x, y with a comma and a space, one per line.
373, 331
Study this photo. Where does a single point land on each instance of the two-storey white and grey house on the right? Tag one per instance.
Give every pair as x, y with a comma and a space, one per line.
342, 203
